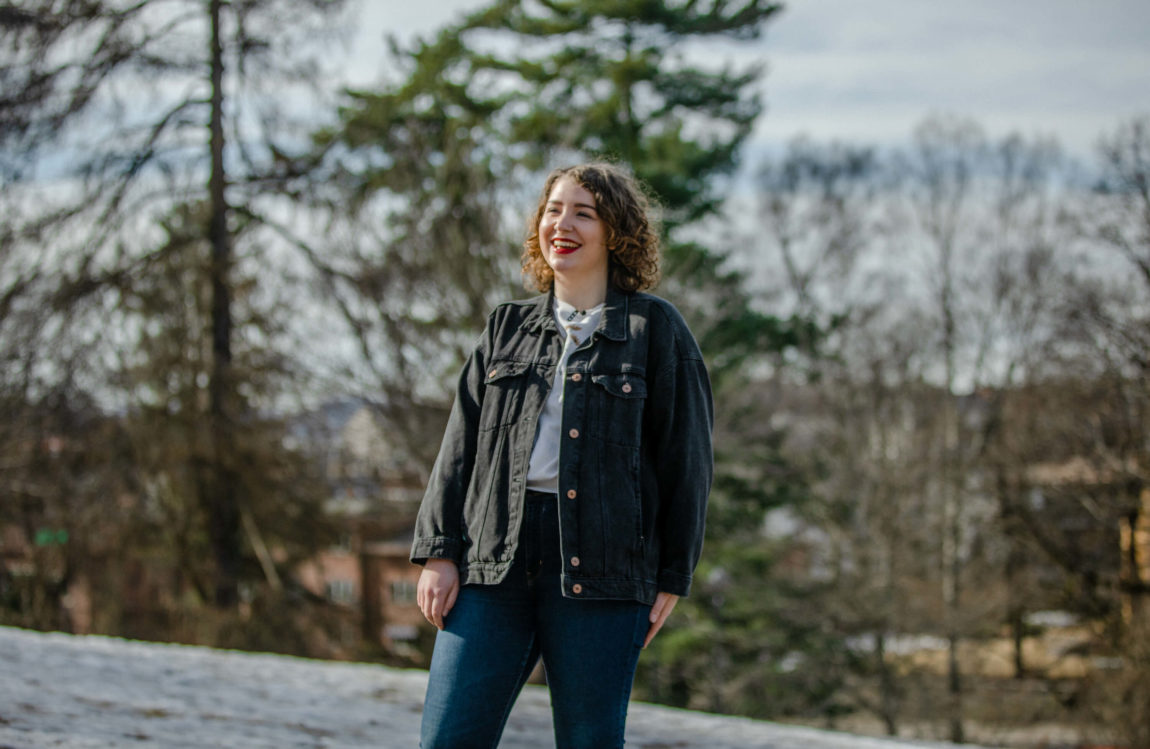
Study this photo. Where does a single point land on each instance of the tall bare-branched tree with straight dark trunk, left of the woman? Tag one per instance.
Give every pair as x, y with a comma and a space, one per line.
121, 112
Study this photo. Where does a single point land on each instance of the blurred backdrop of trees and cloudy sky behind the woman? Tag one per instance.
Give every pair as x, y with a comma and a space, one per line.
246, 248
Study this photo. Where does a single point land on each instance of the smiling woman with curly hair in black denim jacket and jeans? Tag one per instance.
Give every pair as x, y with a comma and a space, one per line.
565, 513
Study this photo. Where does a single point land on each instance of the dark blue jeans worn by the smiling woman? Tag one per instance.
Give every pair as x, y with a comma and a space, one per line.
496, 635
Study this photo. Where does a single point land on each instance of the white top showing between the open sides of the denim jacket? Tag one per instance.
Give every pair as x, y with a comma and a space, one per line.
577, 327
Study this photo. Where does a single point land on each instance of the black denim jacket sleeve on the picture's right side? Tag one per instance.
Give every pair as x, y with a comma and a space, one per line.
683, 433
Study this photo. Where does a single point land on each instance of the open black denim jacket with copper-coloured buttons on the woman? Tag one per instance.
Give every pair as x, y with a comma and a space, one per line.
635, 461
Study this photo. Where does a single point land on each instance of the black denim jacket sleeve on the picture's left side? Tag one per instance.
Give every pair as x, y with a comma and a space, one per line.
439, 526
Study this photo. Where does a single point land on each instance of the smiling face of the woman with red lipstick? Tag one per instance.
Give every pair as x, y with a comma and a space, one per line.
572, 235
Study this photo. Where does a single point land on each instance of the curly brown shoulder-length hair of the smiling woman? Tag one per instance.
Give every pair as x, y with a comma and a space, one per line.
632, 231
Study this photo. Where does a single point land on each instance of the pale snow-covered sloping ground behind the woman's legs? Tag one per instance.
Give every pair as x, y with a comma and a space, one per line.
99, 693
